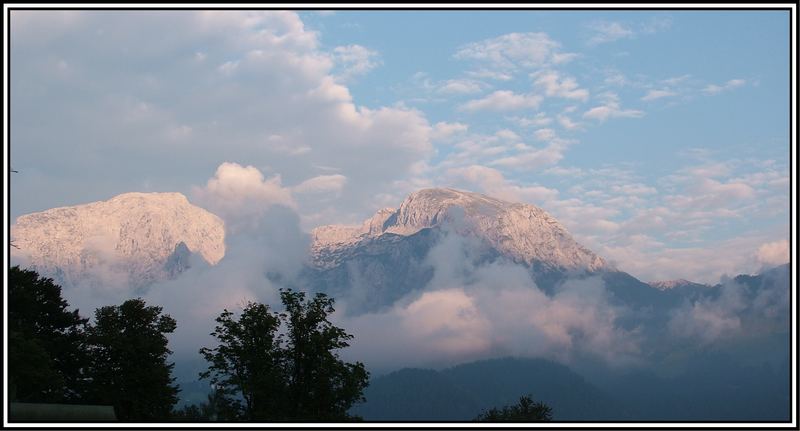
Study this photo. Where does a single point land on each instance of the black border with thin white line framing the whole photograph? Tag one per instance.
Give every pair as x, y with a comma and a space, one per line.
438, 424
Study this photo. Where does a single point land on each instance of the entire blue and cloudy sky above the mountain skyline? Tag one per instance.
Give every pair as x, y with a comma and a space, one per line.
660, 139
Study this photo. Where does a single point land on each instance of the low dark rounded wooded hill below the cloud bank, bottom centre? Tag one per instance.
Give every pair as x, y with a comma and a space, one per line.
462, 392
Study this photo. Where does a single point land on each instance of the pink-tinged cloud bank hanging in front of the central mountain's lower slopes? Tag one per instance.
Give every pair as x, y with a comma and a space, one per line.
473, 311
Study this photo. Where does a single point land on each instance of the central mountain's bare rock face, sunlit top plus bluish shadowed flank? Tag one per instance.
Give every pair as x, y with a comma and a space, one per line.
384, 258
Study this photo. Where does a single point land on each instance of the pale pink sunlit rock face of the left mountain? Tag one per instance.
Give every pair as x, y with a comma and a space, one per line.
133, 238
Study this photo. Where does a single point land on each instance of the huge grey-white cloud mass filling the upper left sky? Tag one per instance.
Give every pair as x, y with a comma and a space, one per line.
250, 86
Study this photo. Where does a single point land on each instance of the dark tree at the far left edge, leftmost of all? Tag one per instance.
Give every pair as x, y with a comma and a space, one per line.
45, 340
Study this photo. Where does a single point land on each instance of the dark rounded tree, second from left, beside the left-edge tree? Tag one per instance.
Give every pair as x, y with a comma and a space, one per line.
128, 361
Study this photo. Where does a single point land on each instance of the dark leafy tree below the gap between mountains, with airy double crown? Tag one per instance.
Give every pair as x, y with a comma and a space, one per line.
298, 376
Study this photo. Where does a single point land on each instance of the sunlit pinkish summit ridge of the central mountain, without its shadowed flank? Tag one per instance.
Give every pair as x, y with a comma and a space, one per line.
522, 232
